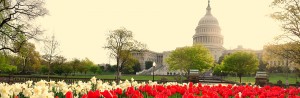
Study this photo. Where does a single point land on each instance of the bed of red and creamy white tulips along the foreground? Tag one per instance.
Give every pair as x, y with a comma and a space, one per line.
131, 89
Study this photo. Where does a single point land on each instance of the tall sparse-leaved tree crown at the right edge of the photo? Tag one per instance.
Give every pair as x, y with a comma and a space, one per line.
287, 12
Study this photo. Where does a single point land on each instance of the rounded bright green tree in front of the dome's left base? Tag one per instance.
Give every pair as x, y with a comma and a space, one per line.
193, 57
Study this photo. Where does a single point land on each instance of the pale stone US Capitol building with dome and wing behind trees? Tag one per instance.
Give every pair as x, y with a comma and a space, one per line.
207, 33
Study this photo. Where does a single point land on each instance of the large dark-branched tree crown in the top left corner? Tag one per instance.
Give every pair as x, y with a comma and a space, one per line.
16, 26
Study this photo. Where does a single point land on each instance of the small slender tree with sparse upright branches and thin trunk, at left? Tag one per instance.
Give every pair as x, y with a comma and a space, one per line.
50, 50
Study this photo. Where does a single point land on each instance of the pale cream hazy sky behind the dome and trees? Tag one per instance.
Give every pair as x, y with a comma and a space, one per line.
81, 26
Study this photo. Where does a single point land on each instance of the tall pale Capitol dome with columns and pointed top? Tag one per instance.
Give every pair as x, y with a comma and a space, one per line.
208, 33
